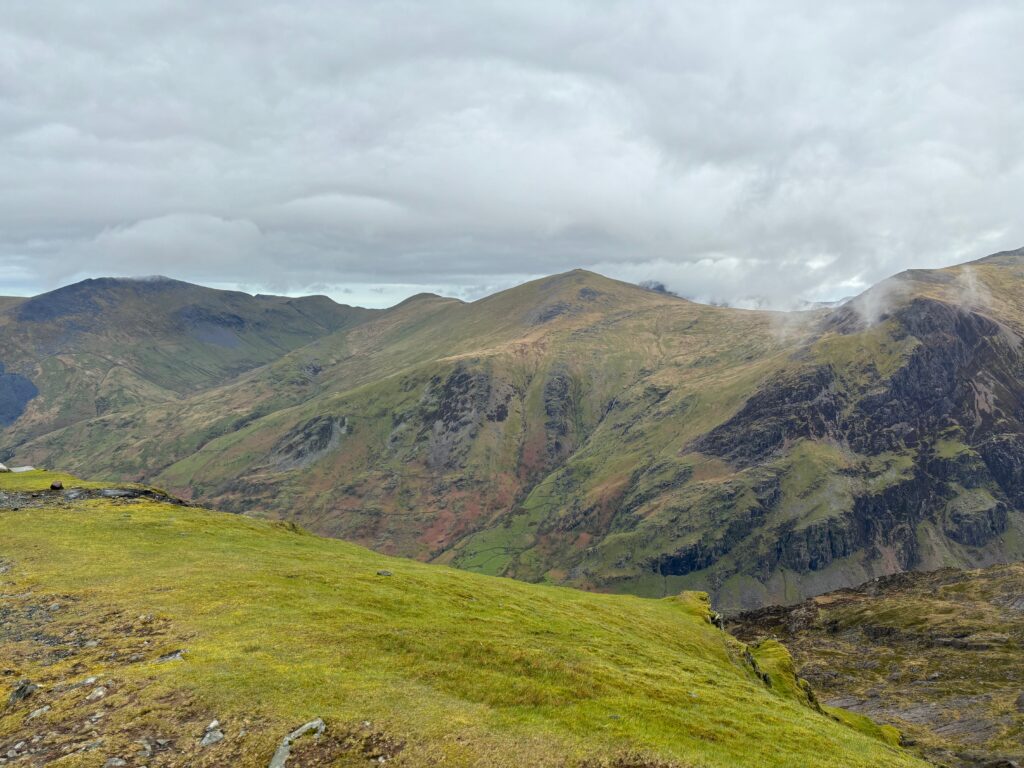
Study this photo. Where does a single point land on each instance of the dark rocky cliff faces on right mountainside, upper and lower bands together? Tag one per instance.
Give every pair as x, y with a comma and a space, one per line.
953, 410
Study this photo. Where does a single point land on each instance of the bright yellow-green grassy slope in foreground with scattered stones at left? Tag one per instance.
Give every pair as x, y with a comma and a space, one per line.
131, 623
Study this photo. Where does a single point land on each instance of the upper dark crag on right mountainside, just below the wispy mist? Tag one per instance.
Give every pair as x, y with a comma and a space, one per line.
966, 372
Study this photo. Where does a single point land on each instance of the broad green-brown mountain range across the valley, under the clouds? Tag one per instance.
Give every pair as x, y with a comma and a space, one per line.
574, 431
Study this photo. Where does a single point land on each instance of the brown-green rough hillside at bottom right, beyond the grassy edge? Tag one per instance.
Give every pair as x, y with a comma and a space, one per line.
936, 655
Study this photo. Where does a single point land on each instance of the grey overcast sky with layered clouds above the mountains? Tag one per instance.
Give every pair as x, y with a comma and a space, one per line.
743, 151
